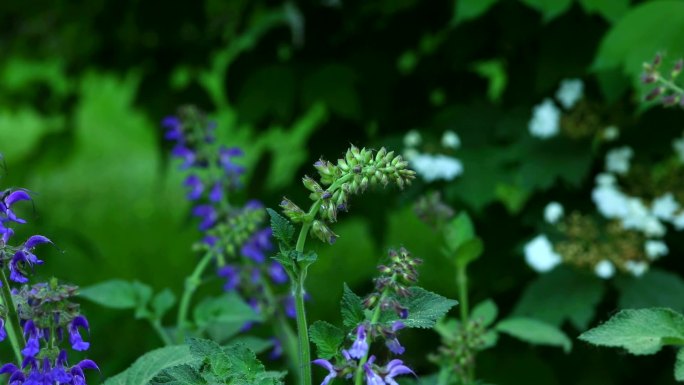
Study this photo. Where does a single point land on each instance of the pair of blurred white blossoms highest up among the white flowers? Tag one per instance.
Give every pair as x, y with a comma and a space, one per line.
545, 122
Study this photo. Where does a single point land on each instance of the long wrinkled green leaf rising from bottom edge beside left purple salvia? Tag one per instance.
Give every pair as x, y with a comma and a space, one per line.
151, 363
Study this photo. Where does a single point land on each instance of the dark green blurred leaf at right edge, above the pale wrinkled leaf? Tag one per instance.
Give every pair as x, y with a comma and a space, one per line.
656, 288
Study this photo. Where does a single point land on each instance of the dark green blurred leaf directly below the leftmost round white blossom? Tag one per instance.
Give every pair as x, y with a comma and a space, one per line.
560, 295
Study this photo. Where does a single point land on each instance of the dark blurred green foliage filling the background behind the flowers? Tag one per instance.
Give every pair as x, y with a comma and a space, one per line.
83, 86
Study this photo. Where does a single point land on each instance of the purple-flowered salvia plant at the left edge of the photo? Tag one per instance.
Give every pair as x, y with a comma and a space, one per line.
38, 319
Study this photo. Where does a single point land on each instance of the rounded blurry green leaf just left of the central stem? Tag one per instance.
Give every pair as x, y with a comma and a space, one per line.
223, 316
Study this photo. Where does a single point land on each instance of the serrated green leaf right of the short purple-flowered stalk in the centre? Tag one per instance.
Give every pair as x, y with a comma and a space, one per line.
424, 309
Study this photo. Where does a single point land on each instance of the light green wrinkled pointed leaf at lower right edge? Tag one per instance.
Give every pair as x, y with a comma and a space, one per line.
640, 331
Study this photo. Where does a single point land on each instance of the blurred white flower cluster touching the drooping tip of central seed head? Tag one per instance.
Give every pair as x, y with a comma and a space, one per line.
433, 167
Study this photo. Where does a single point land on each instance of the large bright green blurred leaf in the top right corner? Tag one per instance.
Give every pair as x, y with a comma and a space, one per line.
627, 45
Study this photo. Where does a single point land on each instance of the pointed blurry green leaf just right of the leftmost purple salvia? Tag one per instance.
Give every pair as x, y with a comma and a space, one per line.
117, 294
